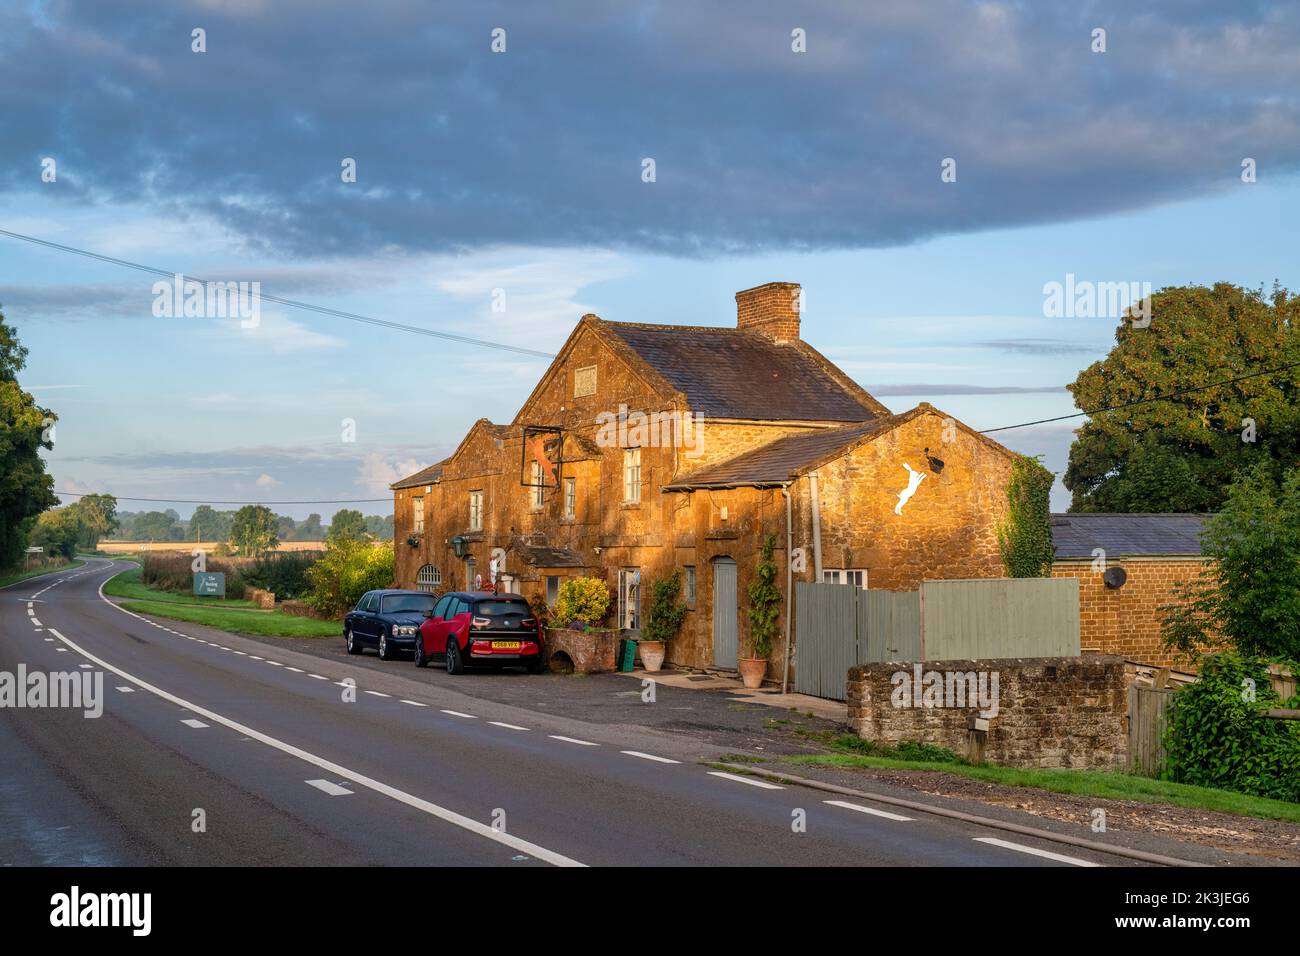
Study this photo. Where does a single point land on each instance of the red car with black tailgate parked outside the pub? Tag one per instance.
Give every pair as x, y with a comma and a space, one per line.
470, 629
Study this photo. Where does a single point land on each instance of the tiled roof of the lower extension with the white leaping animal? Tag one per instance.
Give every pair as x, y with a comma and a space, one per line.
792, 456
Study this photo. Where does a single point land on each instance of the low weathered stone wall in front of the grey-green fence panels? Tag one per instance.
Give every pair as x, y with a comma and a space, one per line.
1052, 712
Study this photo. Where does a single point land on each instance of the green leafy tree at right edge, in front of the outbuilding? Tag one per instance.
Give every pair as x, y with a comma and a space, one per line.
1251, 595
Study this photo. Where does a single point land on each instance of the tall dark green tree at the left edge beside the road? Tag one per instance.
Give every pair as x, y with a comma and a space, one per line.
25, 488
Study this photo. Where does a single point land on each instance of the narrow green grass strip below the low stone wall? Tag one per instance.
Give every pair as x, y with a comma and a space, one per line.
1093, 784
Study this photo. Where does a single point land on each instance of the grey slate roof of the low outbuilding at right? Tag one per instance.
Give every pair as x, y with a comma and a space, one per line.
1128, 535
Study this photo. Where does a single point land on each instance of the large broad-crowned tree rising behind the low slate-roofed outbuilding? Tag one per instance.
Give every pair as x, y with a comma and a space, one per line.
1182, 455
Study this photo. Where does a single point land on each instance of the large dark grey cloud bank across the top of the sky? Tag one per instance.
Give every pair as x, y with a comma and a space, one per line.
757, 148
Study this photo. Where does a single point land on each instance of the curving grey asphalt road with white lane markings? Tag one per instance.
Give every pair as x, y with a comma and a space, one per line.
285, 764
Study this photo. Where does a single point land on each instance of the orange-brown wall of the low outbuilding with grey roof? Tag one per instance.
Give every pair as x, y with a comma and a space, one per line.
1126, 621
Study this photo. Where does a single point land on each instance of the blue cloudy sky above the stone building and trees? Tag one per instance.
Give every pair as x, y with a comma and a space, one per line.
521, 179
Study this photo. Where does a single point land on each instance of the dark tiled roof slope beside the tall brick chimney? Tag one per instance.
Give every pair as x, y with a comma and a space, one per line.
727, 374
